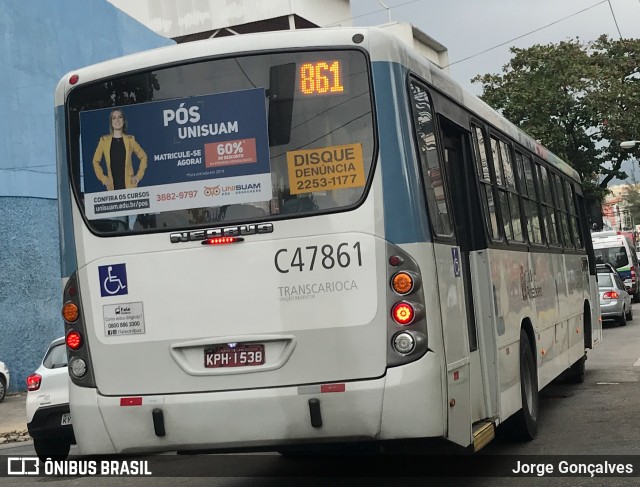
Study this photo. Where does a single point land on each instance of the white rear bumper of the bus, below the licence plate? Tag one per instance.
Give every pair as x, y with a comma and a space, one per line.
261, 418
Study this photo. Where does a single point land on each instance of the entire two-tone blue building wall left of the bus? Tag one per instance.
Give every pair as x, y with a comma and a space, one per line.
42, 41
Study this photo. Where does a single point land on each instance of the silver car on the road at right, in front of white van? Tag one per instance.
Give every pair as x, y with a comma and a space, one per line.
615, 301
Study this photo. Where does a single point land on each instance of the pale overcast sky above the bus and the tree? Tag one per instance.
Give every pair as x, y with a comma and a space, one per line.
469, 27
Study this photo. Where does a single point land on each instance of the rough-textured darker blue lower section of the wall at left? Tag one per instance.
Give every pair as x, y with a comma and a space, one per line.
30, 295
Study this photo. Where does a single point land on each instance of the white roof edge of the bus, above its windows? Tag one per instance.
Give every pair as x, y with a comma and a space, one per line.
381, 45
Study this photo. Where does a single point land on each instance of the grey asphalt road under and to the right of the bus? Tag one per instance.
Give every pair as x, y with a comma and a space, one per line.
598, 417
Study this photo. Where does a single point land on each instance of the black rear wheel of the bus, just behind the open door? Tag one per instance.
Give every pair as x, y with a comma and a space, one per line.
525, 422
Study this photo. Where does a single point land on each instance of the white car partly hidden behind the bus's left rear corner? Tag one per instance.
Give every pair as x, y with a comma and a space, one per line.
48, 414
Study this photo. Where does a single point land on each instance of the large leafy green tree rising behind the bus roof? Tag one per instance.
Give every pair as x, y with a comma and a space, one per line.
577, 99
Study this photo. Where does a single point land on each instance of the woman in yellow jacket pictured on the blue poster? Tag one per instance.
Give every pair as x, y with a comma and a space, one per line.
117, 149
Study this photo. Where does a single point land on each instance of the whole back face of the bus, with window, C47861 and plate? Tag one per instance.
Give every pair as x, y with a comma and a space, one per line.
238, 293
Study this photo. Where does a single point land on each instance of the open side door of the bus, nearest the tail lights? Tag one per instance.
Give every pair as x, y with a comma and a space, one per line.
460, 327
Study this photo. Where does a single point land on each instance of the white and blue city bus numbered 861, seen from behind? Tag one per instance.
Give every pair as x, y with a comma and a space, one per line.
304, 237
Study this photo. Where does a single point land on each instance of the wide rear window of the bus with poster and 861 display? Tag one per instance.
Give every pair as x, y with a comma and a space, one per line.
222, 141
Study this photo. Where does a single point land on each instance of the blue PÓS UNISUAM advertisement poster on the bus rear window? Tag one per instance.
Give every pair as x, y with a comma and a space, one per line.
177, 154
